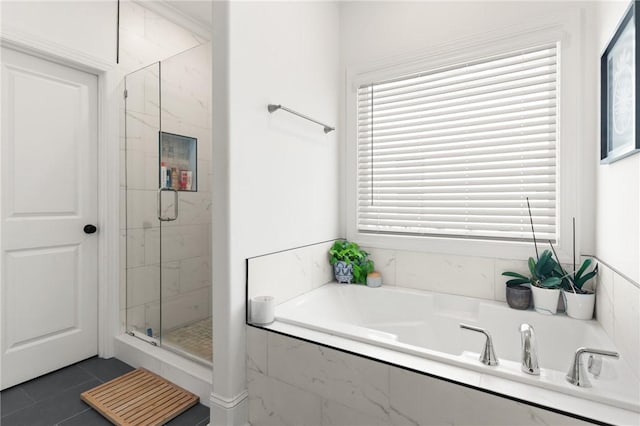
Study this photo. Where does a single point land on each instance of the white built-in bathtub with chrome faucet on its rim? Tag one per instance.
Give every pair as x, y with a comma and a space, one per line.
426, 325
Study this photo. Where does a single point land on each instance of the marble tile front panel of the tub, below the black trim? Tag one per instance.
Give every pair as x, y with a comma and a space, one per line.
291, 382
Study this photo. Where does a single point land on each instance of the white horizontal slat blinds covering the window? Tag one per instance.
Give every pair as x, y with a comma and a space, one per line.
456, 151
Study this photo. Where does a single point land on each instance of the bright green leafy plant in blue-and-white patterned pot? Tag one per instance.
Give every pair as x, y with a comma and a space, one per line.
350, 262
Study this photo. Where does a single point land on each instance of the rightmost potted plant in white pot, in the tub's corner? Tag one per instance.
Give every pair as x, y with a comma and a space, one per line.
578, 300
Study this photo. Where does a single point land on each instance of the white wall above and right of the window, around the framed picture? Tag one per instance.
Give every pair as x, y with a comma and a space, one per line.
374, 31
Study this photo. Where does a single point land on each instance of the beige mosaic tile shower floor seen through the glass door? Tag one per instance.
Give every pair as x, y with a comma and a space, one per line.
195, 339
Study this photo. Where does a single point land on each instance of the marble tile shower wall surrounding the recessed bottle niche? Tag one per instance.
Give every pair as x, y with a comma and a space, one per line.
186, 271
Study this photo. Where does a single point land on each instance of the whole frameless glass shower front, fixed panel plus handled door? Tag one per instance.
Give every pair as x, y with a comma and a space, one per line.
168, 203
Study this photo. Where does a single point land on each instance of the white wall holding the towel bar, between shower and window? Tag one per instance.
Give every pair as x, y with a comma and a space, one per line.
282, 171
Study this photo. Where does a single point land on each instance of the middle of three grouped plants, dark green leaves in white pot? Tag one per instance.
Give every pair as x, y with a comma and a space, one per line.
545, 284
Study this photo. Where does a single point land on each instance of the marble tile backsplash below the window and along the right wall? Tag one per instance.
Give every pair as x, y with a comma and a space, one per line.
617, 298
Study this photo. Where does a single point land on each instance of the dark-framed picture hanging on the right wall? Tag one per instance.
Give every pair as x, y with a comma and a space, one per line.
619, 97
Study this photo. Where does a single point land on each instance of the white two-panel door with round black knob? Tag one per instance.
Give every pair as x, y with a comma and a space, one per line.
48, 272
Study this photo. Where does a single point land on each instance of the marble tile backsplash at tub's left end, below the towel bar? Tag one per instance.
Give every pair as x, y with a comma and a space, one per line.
290, 273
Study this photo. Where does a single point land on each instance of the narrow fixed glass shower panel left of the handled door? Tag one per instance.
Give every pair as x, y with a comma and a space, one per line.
142, 229
